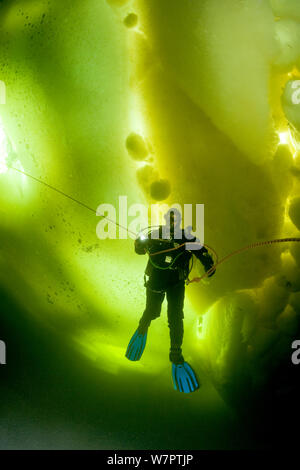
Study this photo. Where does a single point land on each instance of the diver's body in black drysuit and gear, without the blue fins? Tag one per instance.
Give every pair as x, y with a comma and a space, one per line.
171, 281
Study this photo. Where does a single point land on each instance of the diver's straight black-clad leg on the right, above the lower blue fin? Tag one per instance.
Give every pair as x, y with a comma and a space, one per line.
175, 297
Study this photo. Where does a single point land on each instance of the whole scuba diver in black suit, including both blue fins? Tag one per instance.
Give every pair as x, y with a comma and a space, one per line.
165, 275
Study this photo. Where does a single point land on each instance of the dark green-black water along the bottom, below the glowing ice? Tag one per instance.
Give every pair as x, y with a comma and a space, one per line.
53, 398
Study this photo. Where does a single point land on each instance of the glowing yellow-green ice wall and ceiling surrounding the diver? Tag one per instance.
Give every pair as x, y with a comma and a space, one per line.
187, 102
